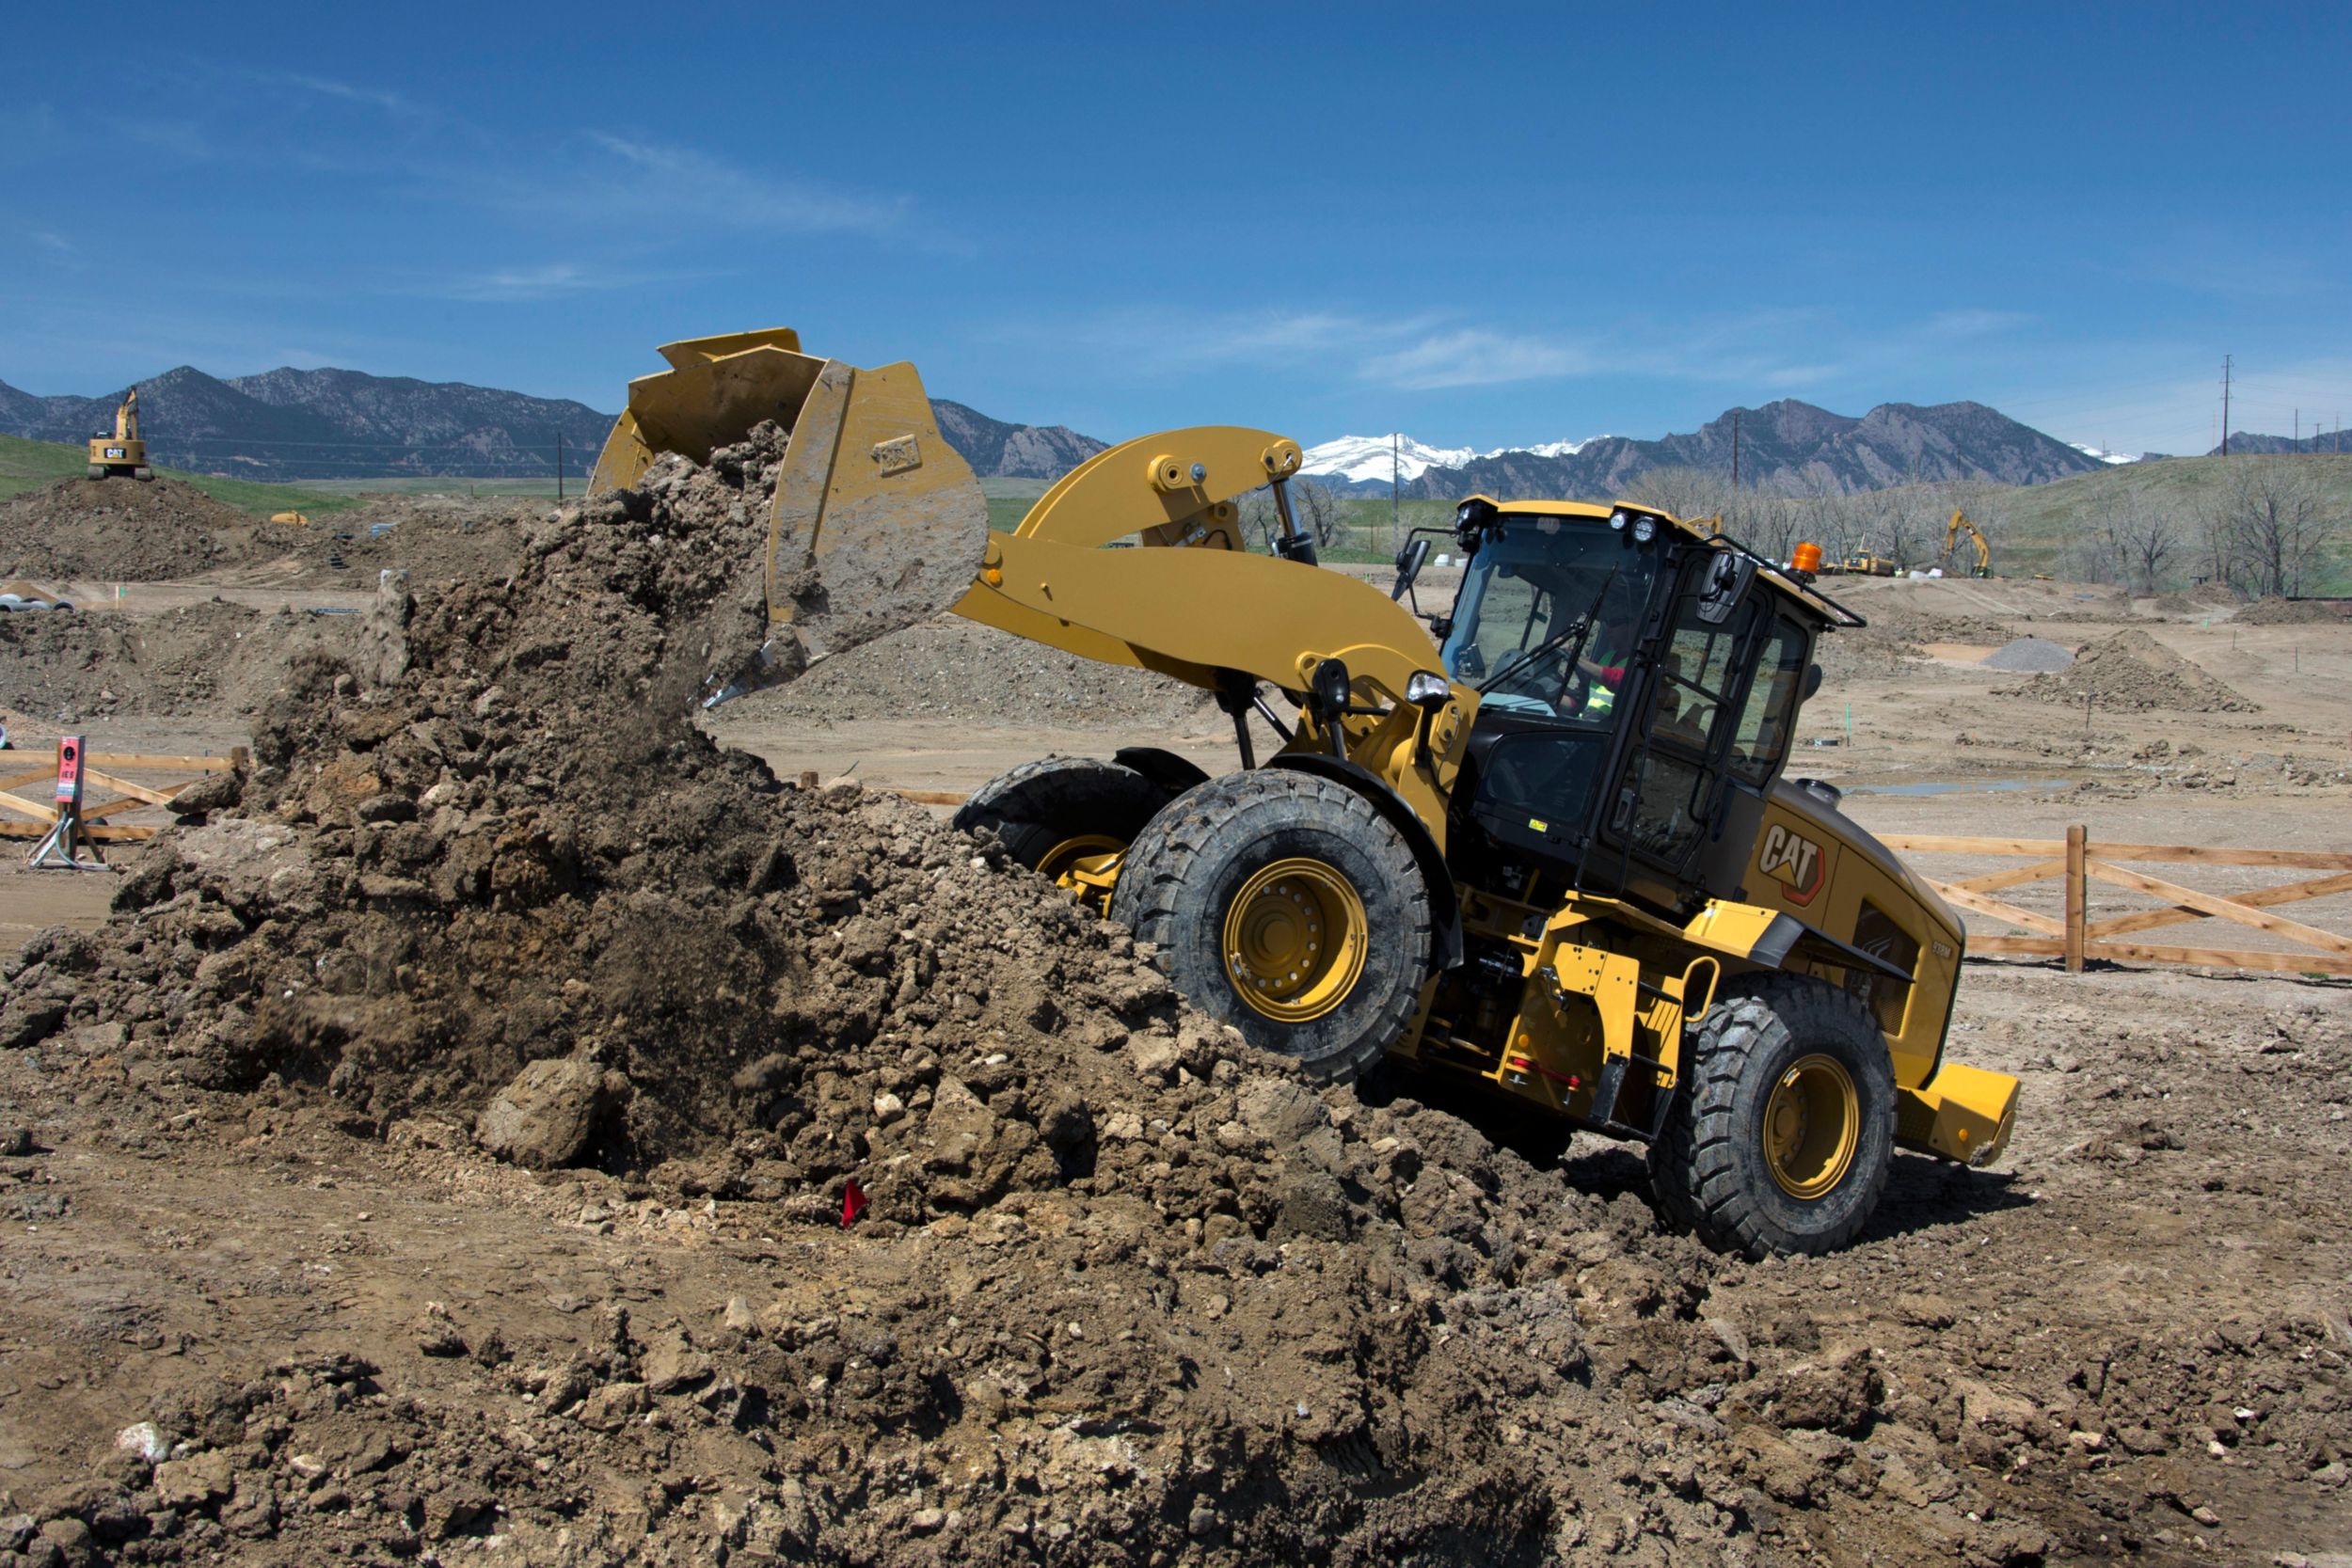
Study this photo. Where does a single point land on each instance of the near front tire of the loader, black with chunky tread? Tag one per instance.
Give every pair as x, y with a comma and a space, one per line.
1194, 864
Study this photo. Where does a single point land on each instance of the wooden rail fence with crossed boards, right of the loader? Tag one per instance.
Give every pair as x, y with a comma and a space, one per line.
2076, 862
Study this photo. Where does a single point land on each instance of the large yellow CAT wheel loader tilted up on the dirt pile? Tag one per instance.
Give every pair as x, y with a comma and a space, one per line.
1542, 845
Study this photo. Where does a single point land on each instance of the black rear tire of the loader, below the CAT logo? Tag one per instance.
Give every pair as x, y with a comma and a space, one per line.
1713, 1167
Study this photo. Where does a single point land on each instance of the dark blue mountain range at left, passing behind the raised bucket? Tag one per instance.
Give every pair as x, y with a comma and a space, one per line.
338, 424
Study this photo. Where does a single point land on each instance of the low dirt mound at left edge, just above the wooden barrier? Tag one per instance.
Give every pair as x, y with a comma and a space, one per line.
185, 662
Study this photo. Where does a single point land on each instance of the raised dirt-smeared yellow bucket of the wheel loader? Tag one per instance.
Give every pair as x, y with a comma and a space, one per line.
876, 523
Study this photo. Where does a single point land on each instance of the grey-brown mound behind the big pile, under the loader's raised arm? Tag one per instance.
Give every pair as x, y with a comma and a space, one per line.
965, 671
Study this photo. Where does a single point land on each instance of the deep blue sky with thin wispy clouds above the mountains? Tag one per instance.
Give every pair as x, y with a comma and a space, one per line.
1476, 225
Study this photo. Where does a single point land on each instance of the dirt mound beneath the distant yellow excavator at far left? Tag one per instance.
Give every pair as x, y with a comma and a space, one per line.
123, 530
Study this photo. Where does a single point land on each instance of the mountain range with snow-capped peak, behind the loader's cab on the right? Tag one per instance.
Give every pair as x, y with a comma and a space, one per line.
1786, 445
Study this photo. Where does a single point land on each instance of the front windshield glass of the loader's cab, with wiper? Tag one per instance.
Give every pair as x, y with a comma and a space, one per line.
1523, 598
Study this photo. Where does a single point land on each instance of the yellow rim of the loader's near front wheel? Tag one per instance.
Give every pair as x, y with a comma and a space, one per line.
1295, 942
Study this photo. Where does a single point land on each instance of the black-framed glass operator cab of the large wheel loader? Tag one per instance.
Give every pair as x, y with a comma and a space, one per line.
1641, 685
